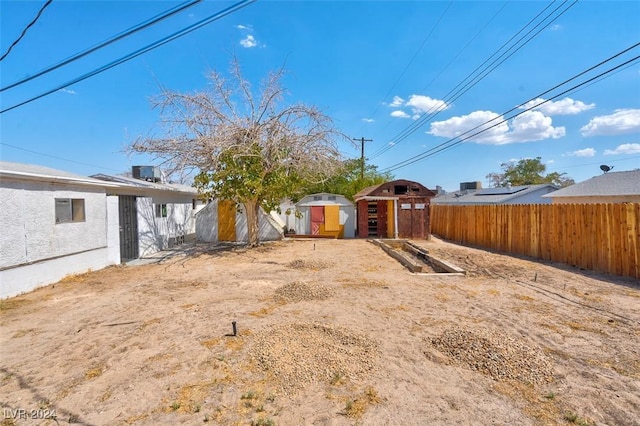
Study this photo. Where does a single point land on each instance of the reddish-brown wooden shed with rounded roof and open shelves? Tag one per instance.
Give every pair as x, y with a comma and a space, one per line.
396, 209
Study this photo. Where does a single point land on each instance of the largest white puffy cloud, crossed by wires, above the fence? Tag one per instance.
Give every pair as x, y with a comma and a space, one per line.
527, 127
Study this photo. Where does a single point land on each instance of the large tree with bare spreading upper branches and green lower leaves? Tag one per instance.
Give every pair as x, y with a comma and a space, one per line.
246, 147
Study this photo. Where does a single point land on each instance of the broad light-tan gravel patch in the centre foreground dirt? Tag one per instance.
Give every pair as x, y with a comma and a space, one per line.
301, 354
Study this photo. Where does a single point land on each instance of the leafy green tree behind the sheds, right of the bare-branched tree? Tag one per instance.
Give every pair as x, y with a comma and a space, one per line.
347, 181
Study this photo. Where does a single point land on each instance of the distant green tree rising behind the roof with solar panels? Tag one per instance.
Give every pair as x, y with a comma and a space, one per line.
528, 171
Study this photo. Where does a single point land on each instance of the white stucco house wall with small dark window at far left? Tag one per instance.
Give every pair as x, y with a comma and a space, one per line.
34, 250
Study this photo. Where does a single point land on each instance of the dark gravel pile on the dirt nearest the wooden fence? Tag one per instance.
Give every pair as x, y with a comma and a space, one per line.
496, 354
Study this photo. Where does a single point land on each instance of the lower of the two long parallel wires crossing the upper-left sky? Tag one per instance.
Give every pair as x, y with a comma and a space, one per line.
174, 36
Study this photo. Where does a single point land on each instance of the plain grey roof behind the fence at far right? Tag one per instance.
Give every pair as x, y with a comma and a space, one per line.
607, 184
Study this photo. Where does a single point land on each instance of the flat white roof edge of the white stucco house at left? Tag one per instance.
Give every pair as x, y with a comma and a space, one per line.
45, 174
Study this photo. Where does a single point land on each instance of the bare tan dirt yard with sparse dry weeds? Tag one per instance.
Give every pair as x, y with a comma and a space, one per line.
330, 332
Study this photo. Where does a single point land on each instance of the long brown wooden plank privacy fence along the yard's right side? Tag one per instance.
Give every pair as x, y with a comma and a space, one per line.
598, 237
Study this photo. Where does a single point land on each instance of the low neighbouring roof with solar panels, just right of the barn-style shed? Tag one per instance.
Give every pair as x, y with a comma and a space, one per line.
490, 195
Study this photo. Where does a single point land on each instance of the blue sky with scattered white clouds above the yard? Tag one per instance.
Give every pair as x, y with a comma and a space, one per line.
387, 71
